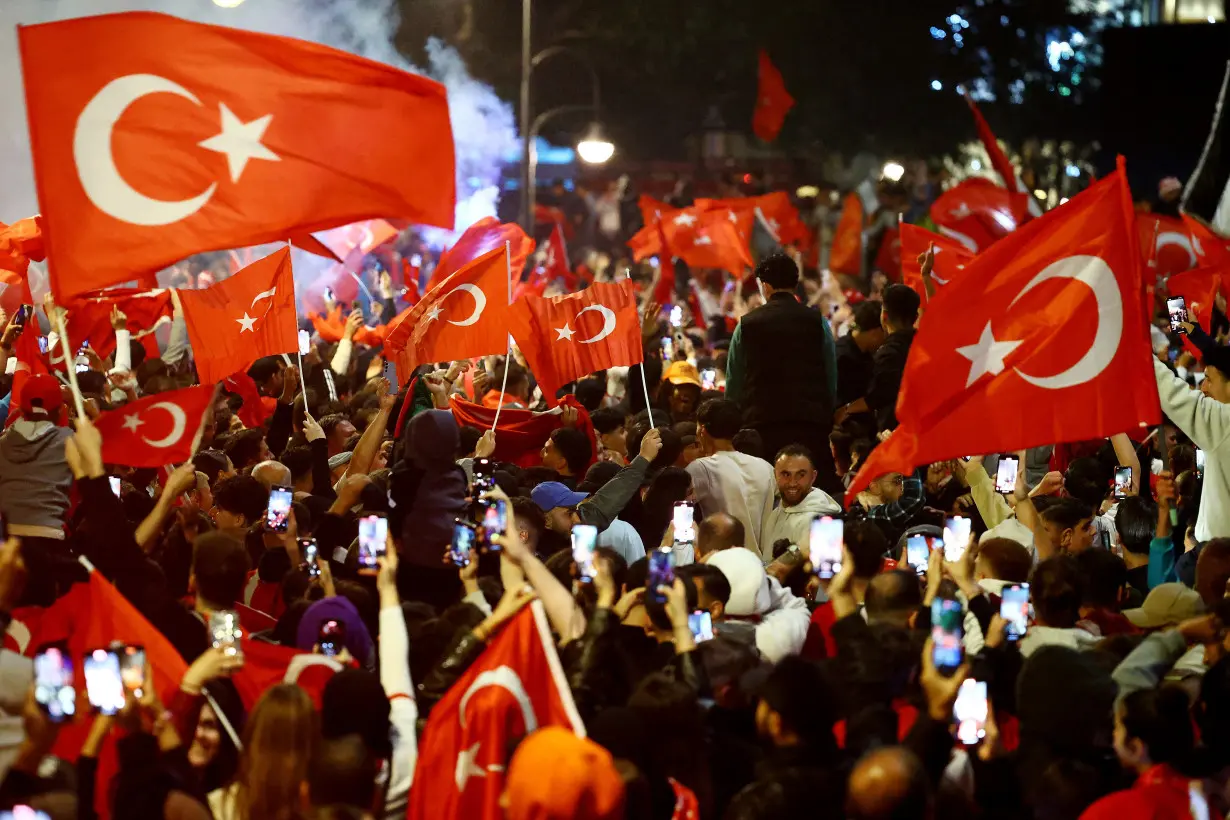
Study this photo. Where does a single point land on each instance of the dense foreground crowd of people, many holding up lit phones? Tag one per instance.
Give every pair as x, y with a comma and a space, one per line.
724, 656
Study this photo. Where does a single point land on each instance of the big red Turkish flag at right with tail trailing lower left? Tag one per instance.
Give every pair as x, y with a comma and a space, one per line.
1047, 319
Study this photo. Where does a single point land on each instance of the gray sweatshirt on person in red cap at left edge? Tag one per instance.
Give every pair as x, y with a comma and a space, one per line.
35, 479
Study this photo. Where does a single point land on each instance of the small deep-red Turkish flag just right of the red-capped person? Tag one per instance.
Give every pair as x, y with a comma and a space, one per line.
154, 431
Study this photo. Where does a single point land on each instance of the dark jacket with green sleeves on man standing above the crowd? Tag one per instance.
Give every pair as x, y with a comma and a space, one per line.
784, 362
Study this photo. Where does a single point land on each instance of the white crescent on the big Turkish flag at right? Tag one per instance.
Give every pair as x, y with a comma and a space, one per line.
1100, 278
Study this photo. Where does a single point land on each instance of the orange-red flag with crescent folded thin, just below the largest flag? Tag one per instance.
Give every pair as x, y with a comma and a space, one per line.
245, 318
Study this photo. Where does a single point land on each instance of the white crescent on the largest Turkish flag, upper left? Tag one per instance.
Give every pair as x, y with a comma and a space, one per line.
97, 165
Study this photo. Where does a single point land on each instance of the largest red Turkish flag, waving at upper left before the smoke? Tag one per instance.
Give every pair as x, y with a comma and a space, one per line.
195, 138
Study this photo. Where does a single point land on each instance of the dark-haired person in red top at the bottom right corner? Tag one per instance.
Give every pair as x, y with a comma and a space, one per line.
1154, 738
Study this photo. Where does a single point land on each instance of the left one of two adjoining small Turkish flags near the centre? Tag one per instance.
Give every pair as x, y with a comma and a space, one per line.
464, 317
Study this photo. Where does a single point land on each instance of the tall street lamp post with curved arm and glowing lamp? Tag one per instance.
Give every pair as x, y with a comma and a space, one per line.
595, 148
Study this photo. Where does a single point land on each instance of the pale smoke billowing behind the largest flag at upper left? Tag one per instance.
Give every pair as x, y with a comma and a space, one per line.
483, 125
